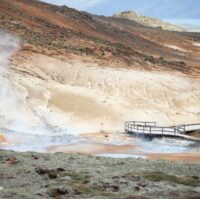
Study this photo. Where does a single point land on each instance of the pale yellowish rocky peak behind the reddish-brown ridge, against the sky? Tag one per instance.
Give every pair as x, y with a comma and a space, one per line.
147, 21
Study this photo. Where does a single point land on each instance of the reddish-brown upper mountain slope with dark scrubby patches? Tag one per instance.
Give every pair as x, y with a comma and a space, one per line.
109, 40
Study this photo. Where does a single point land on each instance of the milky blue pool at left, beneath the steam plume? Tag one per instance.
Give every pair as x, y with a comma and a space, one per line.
23, 142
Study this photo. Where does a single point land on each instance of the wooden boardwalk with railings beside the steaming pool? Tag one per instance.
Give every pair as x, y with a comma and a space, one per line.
150, 129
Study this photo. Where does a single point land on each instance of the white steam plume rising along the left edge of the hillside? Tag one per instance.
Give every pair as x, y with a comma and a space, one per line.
14, 112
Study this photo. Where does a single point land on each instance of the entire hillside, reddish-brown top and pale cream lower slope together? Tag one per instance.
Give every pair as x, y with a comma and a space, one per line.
69, 69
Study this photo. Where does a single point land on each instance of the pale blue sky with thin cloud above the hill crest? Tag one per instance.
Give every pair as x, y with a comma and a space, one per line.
156, 8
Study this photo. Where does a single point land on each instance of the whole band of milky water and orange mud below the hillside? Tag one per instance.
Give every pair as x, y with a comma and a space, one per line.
113, 145
